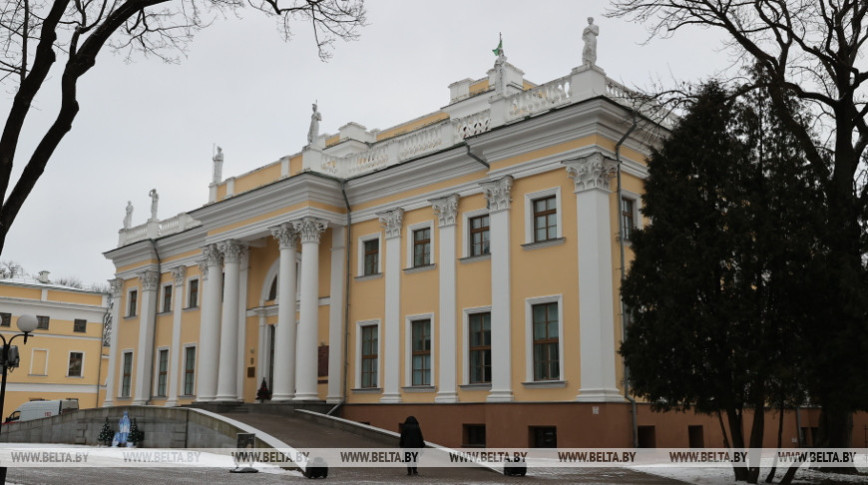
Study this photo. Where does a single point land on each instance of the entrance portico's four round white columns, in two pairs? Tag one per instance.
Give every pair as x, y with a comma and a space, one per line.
295, 363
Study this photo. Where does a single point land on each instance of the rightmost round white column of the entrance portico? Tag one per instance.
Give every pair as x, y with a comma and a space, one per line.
310, 229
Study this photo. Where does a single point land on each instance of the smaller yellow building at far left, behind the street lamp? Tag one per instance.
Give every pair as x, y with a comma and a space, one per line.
66, 360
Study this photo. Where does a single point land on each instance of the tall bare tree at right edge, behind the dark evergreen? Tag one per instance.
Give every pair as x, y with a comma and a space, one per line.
812, 50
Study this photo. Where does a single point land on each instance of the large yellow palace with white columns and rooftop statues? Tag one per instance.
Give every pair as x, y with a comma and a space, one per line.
462, 267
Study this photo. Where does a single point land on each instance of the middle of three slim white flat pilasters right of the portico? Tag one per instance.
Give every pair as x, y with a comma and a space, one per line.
446, 210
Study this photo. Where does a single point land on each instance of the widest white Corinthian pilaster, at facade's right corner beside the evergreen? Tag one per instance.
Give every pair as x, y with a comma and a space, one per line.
591, 176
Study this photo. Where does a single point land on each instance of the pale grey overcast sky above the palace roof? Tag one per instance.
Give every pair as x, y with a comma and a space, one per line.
148, 124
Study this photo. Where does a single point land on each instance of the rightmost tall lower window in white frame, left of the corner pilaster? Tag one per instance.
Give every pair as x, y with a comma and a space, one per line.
545, 343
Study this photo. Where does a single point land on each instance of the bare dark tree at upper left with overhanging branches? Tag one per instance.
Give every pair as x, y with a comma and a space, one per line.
39, 37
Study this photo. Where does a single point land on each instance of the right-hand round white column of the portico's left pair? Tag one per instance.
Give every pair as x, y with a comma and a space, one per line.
226, 375
